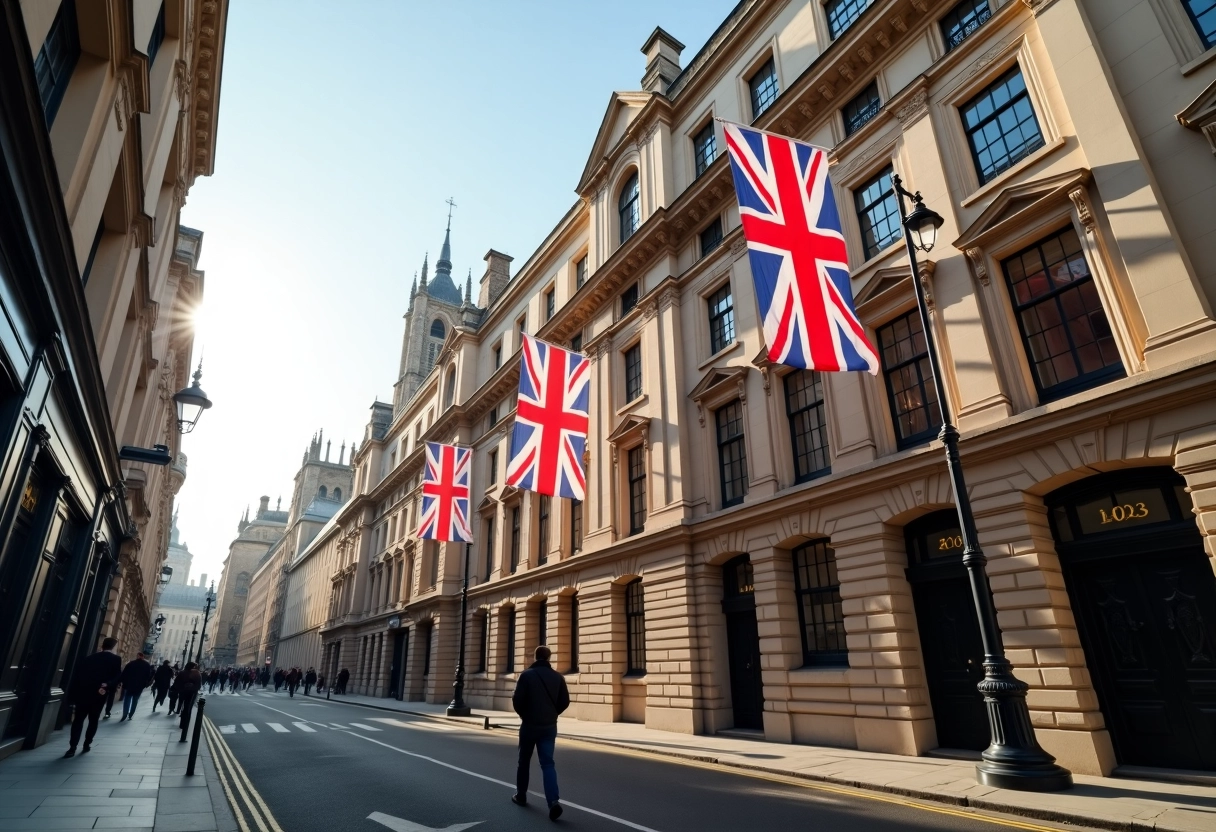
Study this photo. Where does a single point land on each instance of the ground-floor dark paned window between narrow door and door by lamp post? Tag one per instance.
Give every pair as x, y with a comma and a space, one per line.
819, 605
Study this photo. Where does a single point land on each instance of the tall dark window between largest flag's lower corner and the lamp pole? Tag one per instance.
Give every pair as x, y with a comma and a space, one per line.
909, 380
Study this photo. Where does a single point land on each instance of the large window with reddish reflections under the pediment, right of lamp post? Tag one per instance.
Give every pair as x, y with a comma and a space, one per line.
1065, 328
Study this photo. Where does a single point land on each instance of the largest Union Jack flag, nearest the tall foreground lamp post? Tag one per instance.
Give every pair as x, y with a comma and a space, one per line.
797, 250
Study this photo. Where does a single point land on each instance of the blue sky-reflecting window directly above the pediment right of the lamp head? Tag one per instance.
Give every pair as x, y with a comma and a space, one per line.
1001, 126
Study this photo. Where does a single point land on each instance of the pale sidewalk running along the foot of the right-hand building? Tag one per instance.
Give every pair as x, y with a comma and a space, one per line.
1111, 803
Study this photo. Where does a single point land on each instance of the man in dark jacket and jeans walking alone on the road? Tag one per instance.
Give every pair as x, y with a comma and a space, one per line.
541, 696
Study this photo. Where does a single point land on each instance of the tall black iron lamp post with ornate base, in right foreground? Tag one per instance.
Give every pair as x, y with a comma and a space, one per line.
1015, 758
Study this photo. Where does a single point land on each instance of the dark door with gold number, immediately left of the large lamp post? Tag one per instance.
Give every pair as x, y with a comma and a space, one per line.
950, 633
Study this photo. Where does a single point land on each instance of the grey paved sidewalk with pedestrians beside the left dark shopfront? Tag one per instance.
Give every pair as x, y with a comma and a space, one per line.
134, 779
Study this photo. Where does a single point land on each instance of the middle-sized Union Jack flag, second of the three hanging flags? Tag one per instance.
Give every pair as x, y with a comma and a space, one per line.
551, 421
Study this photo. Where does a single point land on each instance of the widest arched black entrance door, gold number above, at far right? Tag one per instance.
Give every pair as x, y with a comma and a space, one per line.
1145, 600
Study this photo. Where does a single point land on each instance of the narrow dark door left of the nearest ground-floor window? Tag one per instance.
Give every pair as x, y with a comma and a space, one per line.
744, 644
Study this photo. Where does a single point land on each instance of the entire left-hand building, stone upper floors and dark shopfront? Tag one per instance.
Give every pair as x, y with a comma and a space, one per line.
108, 117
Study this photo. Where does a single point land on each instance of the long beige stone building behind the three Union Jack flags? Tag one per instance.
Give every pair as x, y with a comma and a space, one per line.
776, 550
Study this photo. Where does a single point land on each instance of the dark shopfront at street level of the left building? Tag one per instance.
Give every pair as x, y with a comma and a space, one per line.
61, 521
